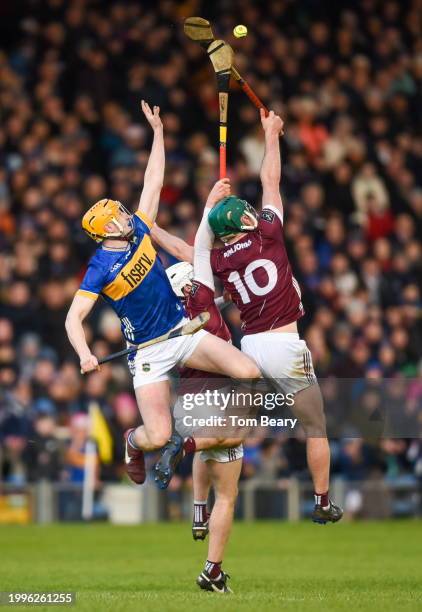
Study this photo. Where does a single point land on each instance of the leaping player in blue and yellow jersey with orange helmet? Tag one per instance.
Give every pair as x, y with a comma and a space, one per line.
127, 273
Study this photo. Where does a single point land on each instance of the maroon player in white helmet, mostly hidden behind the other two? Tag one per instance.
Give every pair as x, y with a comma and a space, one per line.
219, 467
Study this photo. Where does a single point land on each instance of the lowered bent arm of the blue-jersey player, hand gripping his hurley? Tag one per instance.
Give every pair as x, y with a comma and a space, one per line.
78, 311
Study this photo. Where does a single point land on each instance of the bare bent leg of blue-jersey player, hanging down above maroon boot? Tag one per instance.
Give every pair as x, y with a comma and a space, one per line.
154, 406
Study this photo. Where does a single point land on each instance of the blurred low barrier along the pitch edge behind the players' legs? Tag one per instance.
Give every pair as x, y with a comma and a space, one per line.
288, 499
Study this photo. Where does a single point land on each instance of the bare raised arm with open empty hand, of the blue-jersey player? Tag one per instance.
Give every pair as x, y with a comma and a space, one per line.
154, 173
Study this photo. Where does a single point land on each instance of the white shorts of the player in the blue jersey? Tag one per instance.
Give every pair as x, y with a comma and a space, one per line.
153, 363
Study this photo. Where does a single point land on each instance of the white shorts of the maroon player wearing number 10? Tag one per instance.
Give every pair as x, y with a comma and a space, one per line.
283, 357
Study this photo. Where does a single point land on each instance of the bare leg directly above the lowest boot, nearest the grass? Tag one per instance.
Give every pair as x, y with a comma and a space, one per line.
224, 478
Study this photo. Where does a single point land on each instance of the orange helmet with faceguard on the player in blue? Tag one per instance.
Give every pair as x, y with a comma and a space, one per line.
106, 213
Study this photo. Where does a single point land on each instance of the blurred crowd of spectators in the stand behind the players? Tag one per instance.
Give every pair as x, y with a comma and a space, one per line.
347, 80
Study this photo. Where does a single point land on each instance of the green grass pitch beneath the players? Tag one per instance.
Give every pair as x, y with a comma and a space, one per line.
361, 566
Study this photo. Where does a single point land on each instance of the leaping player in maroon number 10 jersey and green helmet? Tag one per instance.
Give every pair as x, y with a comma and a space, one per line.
252, 263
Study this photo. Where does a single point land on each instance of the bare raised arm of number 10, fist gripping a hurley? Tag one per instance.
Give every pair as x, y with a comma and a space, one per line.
271, 165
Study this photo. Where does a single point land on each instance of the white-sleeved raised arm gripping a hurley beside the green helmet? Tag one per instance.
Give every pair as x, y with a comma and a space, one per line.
204, 239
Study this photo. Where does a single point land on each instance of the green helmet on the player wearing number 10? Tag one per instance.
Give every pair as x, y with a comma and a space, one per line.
225, 217
